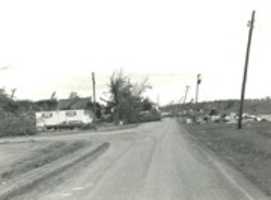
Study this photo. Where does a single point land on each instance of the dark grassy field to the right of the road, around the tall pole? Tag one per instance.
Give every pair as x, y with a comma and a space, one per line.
248, 150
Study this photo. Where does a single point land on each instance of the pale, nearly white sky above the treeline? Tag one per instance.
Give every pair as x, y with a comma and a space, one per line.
54, 45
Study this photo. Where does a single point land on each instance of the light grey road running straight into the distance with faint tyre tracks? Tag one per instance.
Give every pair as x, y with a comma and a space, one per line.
157, 161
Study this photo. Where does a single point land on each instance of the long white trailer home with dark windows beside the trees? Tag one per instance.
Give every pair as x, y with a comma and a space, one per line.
63, 118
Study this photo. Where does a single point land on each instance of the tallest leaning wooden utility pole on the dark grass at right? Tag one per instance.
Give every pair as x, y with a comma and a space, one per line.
251, 26
